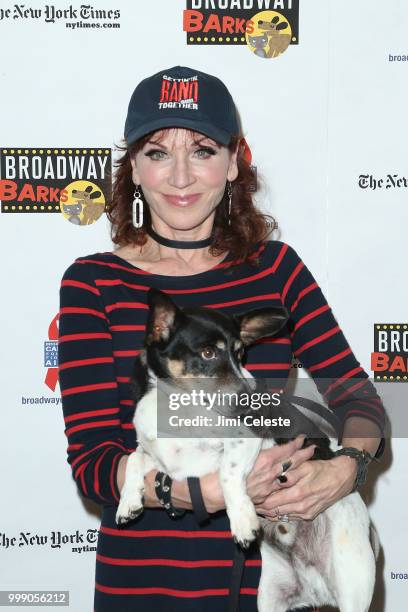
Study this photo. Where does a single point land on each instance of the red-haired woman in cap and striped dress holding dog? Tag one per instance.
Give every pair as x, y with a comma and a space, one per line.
185, 223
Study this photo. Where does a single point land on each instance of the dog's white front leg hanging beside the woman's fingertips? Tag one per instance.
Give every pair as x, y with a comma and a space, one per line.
237, 461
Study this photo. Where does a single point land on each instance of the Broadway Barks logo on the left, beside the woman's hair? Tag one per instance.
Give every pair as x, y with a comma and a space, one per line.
74, 182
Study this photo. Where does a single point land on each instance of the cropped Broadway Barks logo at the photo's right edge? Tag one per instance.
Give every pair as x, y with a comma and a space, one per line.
389, 360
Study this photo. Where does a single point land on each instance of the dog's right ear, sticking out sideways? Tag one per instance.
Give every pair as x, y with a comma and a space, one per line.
260, 323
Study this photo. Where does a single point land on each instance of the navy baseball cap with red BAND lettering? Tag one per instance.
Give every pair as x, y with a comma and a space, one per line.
182, 97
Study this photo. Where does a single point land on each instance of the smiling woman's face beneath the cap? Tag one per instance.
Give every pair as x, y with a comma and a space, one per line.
183, 176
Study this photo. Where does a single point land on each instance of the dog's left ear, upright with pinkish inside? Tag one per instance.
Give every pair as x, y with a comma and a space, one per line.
163, 316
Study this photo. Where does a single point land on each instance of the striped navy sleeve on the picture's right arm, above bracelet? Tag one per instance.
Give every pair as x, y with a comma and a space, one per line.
320, 345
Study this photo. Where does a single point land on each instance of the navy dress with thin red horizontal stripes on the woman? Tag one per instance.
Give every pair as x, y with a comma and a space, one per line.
156, 563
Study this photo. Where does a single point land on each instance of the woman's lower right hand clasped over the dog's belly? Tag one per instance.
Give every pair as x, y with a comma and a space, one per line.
310, 488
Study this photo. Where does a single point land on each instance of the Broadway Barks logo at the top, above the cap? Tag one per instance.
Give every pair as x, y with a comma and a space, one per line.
267, 27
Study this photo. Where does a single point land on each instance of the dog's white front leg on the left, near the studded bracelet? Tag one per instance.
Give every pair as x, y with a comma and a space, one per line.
131, 498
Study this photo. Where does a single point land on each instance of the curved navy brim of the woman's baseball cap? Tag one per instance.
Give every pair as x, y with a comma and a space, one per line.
217, 134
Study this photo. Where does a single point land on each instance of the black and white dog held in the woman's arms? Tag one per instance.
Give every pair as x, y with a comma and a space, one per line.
327, 561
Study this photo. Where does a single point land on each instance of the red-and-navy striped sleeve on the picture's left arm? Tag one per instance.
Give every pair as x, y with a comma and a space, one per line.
89, 389
